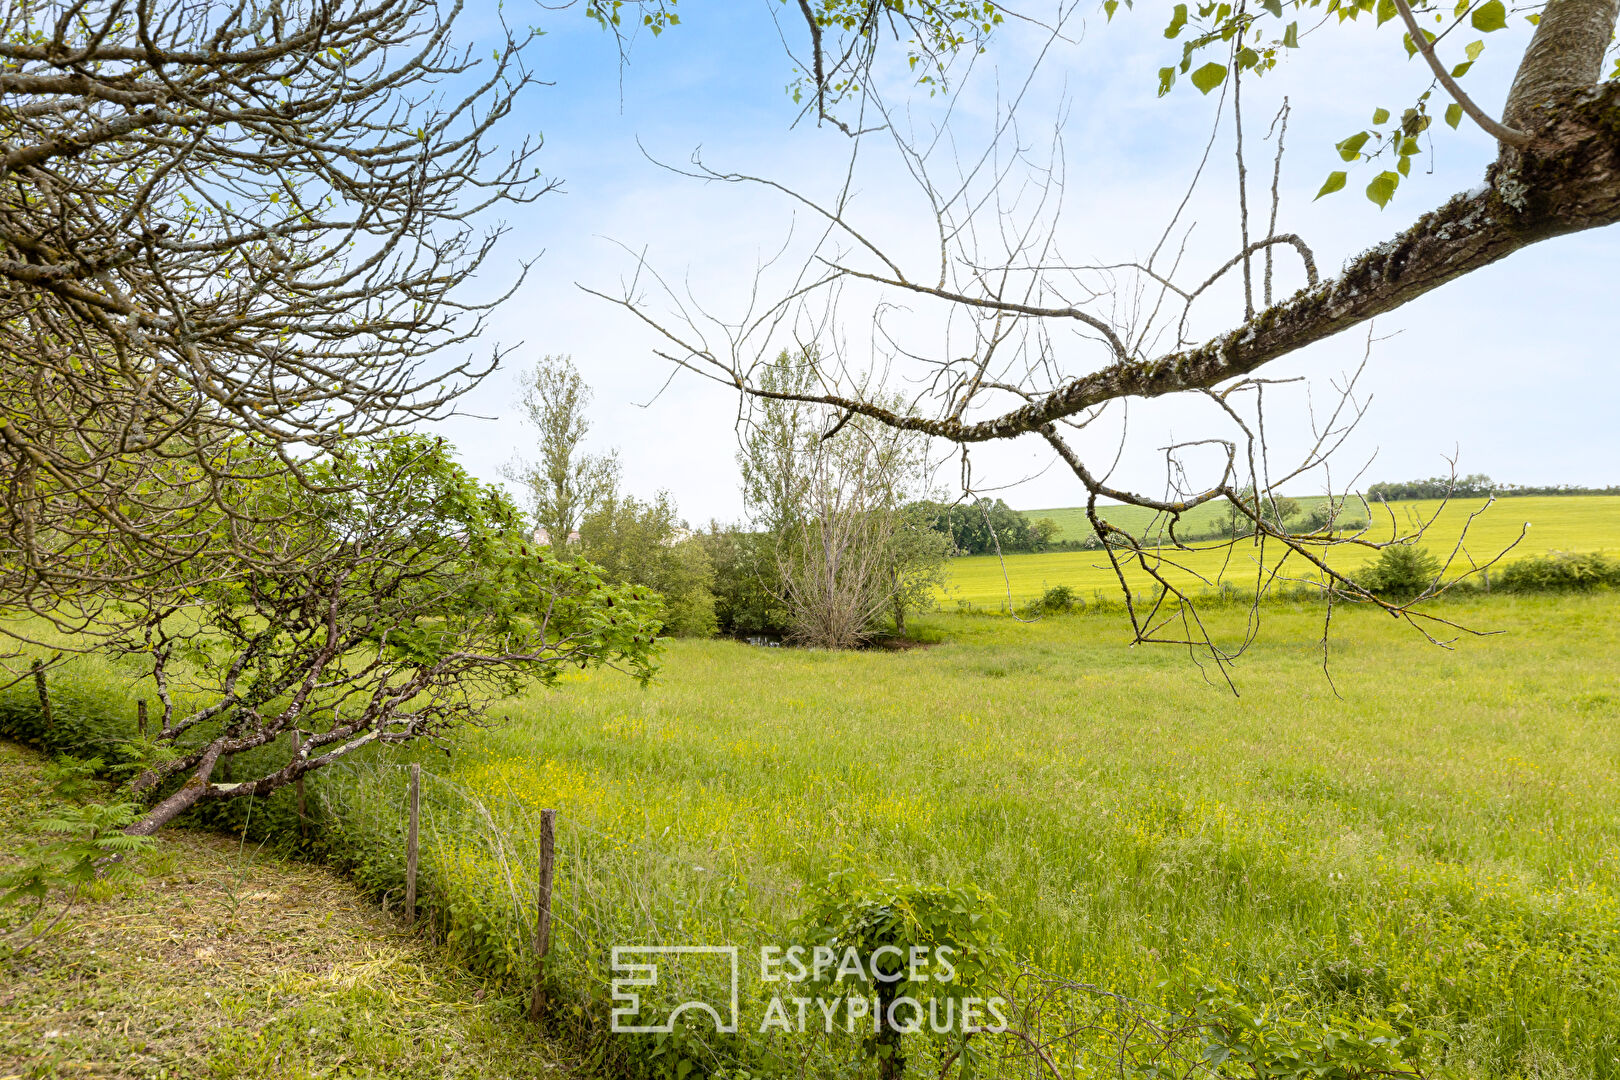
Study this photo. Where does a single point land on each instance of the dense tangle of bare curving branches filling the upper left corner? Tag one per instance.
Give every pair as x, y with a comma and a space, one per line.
226, 229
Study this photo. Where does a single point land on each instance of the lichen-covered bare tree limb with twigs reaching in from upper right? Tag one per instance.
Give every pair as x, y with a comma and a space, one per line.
1041, 346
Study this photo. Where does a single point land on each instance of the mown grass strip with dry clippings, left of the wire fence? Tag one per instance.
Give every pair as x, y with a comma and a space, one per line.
232, 964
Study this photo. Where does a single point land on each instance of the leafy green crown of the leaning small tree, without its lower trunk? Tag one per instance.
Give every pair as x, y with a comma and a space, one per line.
417, 563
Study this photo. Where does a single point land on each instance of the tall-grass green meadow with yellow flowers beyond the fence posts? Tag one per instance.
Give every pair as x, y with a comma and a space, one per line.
1444, 836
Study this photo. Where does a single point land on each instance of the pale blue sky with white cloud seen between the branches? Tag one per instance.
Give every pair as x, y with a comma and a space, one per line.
1507, 370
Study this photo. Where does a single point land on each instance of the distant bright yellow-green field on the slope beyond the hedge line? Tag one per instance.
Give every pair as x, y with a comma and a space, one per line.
1558, 524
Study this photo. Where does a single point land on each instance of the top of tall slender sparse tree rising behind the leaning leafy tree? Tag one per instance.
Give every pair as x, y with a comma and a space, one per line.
565, 485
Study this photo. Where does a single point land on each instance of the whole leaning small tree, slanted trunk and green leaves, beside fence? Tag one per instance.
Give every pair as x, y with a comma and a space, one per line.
398, 600
